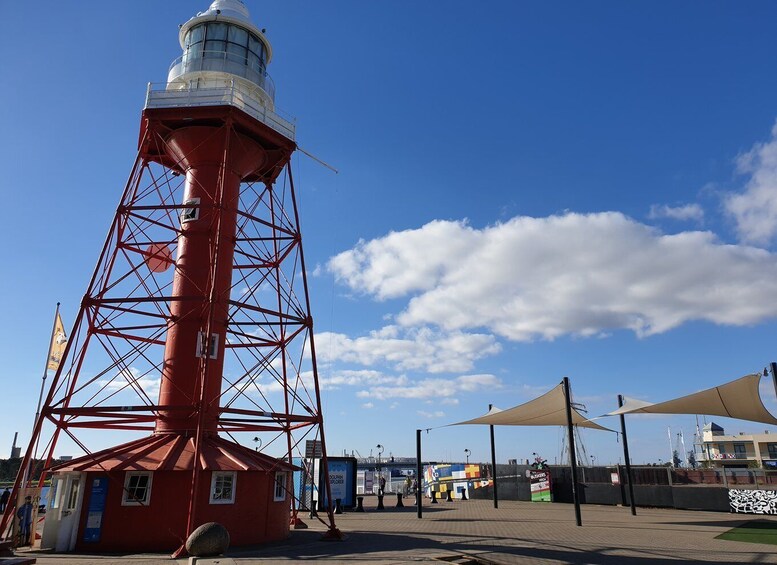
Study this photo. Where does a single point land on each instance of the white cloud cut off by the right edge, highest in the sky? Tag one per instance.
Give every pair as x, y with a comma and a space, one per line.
755, 209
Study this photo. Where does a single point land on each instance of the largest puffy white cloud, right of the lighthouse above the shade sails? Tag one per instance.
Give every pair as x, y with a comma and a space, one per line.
578, 274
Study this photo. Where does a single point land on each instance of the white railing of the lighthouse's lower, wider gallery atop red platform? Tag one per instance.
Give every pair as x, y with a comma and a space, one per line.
159, 95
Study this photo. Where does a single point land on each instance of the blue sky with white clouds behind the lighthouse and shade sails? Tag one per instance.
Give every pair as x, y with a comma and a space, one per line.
526, 191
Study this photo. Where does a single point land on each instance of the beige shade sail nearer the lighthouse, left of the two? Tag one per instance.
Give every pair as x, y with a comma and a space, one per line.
546, 410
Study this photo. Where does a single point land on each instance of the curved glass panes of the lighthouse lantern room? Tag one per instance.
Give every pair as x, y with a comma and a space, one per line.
217, 46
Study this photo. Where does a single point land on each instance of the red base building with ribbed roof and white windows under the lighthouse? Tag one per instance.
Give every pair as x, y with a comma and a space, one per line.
129, 498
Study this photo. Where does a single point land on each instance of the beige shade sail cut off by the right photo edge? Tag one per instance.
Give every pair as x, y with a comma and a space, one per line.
736, 399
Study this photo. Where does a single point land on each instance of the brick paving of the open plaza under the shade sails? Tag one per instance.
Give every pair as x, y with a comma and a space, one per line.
475, 532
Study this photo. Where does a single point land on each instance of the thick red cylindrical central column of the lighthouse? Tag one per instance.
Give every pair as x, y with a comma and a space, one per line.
196, 334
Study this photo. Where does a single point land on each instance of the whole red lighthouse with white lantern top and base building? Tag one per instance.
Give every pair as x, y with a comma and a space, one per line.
194, 336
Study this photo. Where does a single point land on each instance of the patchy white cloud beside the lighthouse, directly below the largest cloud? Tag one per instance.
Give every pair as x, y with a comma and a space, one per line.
408, 349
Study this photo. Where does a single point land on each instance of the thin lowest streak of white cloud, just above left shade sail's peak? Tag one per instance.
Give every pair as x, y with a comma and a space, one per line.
433, 388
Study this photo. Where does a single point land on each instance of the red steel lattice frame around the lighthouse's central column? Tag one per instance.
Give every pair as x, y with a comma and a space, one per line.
113, 363
